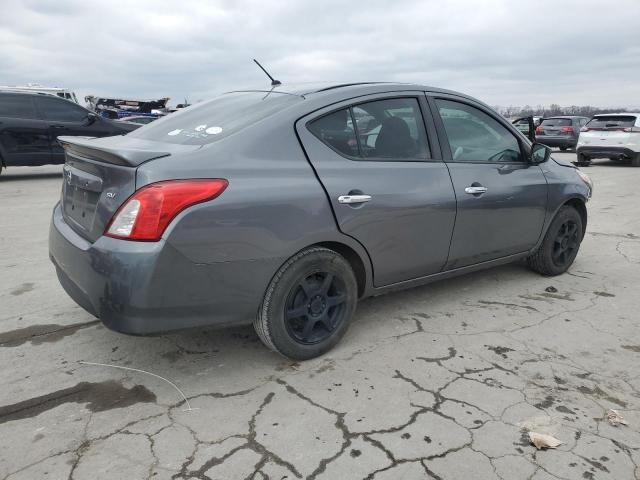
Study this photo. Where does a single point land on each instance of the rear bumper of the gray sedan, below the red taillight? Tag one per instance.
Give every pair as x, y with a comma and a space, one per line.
150, 287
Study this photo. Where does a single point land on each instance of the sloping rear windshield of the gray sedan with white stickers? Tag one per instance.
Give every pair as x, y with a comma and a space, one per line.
209, 121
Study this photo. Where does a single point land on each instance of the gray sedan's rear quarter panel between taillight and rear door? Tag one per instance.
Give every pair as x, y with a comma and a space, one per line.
273, 207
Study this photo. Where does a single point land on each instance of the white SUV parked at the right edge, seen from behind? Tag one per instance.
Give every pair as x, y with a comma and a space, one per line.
612, 135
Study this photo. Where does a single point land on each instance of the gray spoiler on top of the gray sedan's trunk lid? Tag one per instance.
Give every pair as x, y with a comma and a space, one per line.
93, 149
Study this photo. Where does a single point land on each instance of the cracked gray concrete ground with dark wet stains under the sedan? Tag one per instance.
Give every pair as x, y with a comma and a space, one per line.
436, 382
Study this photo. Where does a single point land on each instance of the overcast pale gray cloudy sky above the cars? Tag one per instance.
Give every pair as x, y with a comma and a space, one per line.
504, 52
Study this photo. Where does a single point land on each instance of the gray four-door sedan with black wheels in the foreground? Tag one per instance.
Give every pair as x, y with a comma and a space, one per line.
282, 208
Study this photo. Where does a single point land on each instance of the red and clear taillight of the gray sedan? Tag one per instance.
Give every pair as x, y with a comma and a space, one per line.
147, 213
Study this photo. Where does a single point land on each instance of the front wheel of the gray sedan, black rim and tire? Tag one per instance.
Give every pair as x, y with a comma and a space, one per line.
560, 245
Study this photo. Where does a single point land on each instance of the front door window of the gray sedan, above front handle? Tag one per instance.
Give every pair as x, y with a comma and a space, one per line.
474, 136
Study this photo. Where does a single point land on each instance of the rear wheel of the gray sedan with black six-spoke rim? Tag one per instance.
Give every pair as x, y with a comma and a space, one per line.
308, 305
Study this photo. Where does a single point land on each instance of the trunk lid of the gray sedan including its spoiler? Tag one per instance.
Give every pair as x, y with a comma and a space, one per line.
100, 174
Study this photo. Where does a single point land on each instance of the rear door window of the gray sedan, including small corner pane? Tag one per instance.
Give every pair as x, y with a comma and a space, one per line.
390, 129
